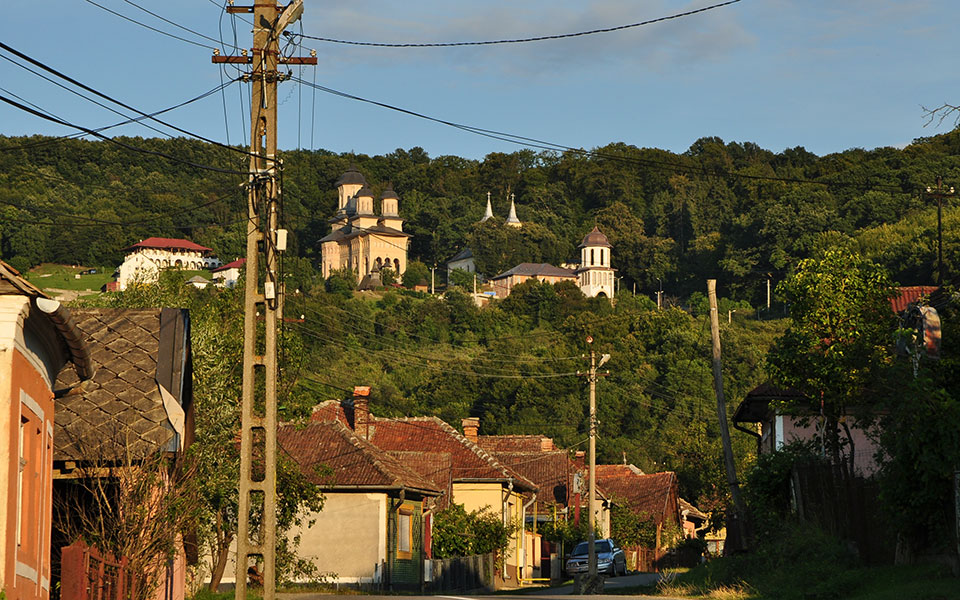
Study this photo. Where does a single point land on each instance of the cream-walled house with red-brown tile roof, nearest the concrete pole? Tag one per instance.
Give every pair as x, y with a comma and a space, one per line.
371, 498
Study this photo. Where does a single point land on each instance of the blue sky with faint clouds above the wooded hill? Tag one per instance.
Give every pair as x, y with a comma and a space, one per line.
825, 75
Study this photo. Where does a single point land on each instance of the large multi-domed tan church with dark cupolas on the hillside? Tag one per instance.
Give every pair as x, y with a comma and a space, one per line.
361, 240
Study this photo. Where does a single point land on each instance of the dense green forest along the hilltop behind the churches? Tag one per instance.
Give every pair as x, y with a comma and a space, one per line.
727, 210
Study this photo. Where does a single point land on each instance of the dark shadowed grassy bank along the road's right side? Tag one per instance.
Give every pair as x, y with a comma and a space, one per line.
806, 564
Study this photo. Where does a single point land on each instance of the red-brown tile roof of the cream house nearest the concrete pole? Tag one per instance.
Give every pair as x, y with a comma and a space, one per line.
354, 462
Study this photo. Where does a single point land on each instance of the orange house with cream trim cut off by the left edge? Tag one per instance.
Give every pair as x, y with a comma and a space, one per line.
37, 337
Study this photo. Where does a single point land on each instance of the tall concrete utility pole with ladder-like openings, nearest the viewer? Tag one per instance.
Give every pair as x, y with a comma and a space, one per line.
258, 428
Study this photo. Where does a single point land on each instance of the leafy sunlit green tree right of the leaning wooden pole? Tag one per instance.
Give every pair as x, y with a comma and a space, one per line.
840, 336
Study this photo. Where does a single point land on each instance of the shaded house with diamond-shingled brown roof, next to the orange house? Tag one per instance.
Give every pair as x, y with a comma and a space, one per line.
138, 403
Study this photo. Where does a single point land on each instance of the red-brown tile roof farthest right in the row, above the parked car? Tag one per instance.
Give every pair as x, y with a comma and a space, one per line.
654, 494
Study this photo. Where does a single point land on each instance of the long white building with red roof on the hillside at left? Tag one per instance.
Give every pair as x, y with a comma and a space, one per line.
148, 257
